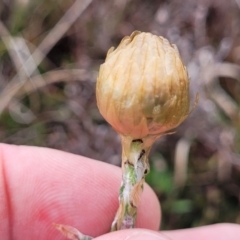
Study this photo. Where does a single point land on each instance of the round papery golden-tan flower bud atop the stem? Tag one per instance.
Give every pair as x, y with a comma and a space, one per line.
143, 86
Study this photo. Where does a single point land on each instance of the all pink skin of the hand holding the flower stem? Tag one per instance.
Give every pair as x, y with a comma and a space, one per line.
40, 186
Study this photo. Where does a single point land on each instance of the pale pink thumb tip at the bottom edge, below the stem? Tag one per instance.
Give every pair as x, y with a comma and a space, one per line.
134, 234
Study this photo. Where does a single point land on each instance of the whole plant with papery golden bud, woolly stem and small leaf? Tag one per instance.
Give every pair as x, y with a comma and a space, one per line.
143, 93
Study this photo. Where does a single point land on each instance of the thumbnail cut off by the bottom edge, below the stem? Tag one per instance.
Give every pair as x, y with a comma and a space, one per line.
143, 235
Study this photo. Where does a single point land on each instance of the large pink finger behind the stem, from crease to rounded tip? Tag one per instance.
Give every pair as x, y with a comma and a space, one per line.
69, 189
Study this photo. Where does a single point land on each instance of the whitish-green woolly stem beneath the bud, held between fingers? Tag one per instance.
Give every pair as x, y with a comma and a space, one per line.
135, 166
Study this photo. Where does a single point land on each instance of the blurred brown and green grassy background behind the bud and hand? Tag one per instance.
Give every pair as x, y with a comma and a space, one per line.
50, 52
